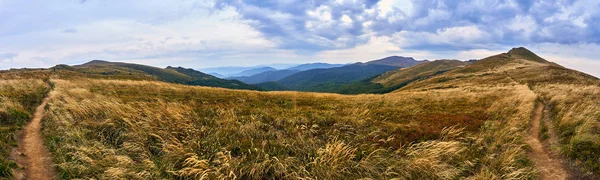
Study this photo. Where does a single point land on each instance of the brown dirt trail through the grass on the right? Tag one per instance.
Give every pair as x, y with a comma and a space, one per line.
549, 166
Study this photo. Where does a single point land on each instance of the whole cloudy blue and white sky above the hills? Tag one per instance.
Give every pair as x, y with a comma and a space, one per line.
211, 33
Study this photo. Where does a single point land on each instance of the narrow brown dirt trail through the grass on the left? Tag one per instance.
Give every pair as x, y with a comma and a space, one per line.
31, 154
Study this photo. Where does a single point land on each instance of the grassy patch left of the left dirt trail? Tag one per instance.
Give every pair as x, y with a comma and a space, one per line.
19, 96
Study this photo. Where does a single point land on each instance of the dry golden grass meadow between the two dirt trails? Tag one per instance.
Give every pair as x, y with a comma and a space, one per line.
110, 129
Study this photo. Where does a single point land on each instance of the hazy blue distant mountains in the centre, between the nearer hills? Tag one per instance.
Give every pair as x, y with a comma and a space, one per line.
322, 77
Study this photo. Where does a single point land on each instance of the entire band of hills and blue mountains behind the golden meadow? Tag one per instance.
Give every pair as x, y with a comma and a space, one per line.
376, 76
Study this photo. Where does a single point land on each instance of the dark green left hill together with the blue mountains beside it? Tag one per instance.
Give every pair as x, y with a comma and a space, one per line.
318, 77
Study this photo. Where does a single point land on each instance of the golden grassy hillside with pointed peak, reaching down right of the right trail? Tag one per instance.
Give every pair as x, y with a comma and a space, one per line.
573, 97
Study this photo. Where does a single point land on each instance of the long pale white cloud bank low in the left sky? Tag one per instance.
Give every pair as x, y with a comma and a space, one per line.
127, 39
